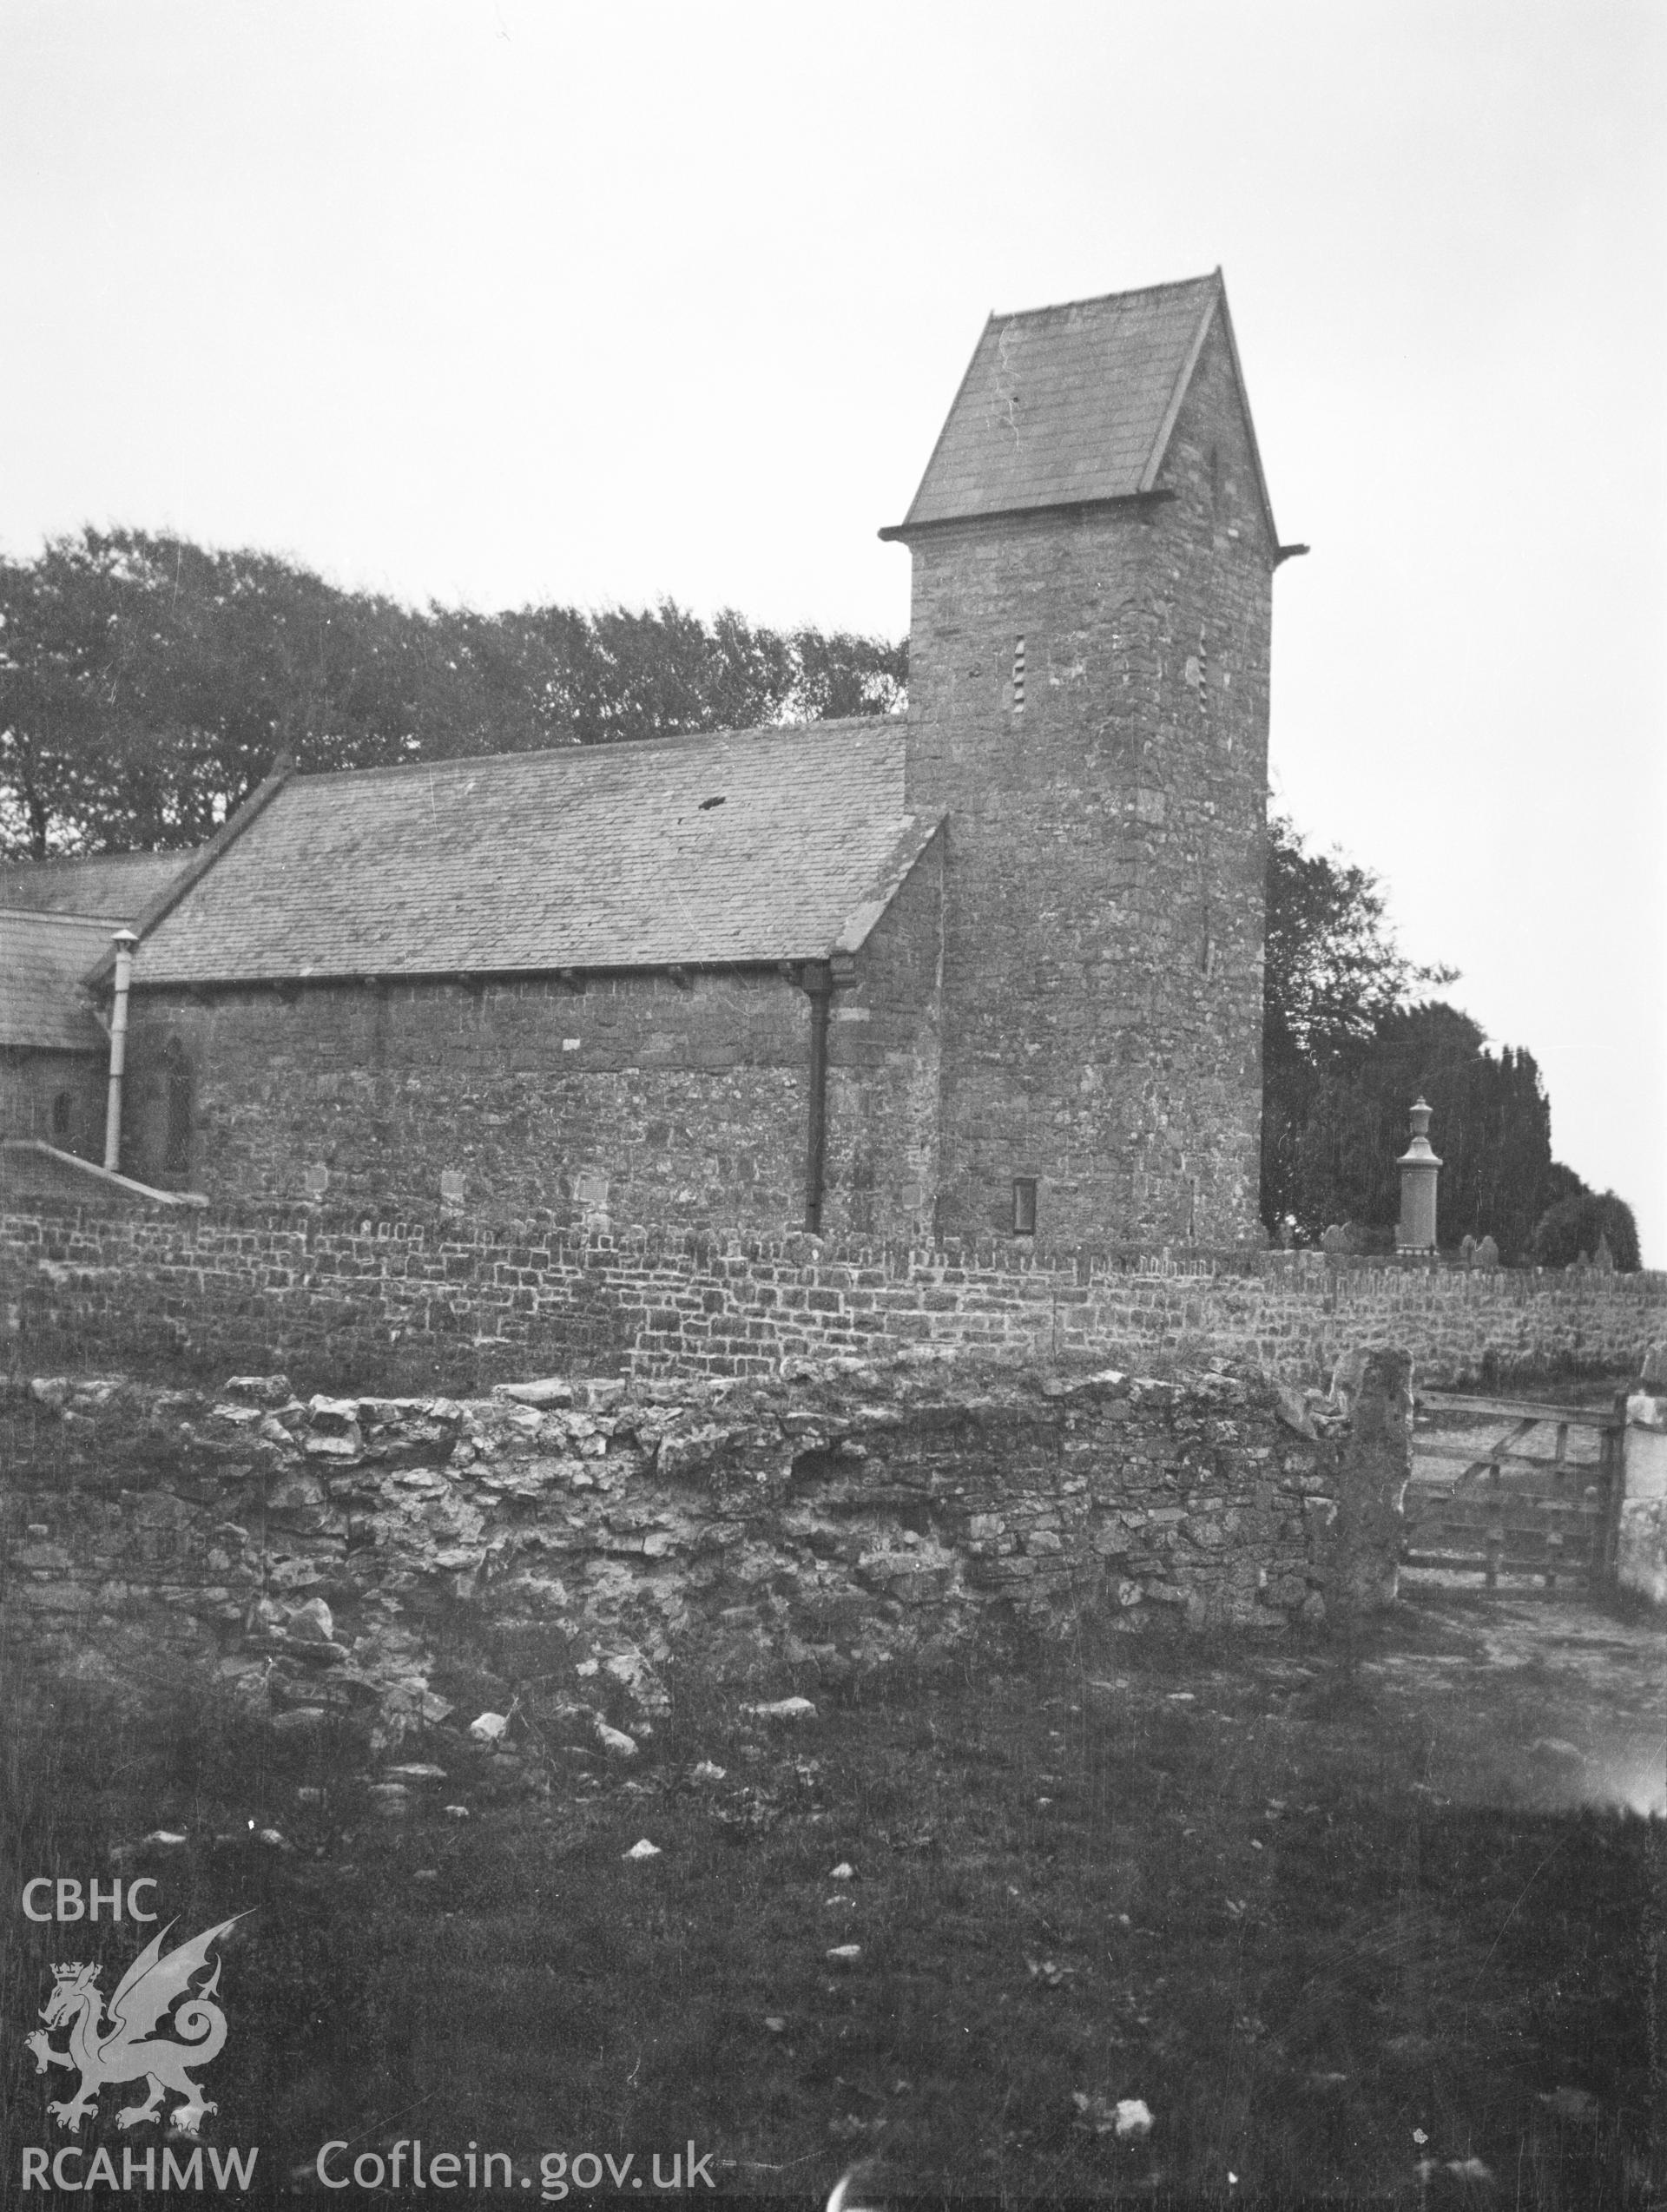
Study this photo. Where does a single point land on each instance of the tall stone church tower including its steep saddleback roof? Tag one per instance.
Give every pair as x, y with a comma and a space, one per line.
1093, 559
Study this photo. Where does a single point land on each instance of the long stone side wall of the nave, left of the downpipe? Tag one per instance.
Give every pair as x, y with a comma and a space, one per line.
629, 1094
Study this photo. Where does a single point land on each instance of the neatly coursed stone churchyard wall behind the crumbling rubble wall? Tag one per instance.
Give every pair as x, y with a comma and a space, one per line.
461, 1304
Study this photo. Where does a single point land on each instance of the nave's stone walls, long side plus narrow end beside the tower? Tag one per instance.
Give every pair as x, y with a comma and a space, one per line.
598, 1100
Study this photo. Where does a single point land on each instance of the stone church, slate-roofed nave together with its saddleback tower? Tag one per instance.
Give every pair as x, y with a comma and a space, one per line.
989, 970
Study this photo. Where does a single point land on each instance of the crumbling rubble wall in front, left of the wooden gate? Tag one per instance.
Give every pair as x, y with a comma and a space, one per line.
342, 1558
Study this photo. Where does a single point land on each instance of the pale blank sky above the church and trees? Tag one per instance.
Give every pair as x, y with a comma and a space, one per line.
512, 302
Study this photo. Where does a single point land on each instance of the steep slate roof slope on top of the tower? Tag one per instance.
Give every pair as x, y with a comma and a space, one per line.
1073, 404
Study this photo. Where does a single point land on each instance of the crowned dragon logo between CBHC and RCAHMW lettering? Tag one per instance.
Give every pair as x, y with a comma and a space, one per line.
127, 2047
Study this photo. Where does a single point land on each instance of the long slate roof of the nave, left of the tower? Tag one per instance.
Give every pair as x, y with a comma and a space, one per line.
740, 848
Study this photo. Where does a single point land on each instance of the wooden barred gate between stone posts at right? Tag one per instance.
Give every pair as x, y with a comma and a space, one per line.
1513, 1485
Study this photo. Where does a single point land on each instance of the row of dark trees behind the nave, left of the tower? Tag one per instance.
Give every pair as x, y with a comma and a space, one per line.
147, 685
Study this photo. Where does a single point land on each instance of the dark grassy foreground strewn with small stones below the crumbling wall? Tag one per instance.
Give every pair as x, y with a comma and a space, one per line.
1323, 1923
